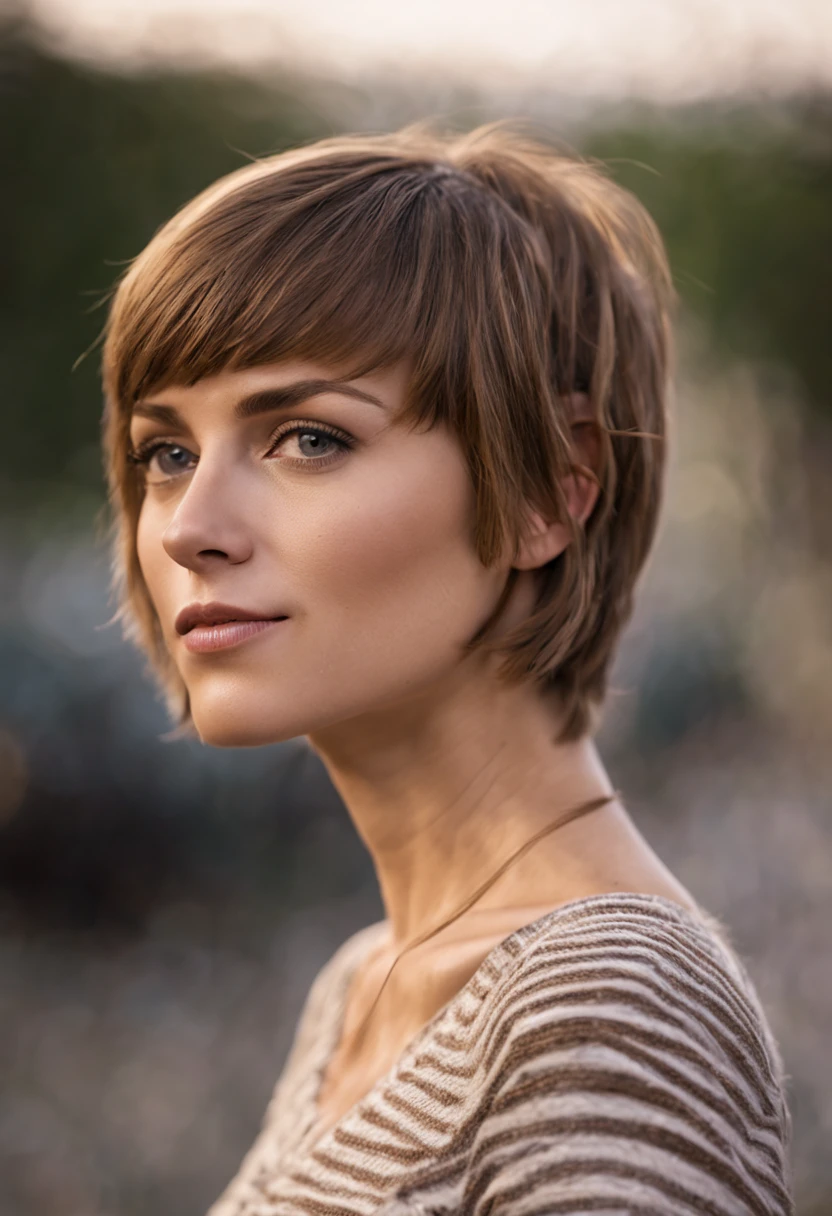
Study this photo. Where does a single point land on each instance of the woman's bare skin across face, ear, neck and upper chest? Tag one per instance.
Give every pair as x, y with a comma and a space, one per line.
445, 770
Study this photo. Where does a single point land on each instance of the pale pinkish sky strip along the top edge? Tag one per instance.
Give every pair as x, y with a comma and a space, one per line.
660, 49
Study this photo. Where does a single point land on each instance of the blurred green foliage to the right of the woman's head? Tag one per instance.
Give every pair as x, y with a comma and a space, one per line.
744, 200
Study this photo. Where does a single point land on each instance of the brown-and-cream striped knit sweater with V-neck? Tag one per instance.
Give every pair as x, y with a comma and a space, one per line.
611, 1059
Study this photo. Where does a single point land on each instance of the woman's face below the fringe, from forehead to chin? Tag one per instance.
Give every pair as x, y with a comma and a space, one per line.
280, 492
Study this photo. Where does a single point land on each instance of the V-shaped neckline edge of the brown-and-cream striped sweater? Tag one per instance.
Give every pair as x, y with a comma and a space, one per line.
359, 947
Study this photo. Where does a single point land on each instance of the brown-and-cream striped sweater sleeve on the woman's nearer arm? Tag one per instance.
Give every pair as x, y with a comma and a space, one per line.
632, 1076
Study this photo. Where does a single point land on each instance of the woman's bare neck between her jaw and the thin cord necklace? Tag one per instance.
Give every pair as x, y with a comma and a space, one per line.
446, 789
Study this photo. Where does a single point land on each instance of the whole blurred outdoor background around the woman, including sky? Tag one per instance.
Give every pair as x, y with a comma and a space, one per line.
165, 907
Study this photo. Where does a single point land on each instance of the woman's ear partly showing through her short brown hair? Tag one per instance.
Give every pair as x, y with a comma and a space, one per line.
544, 541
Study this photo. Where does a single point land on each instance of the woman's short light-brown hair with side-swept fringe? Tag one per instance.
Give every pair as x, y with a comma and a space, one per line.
508, 274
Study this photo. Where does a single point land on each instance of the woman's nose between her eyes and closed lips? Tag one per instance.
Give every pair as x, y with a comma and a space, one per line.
209, 525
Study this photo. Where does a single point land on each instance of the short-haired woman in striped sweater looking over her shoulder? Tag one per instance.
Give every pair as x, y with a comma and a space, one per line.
385, 434
